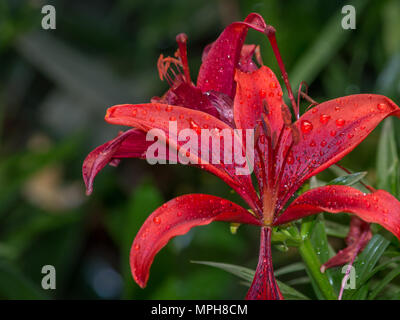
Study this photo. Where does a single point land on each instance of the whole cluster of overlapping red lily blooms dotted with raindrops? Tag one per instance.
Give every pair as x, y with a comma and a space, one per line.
233, 93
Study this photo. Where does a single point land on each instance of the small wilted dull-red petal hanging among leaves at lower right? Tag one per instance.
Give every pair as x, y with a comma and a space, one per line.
356, 240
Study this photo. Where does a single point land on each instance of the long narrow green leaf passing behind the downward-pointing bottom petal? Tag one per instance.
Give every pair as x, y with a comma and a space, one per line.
247, 274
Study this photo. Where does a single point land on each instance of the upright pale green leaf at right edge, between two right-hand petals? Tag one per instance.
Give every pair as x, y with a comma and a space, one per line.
387, 160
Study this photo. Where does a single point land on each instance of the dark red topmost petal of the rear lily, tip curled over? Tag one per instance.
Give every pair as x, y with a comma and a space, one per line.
219, 63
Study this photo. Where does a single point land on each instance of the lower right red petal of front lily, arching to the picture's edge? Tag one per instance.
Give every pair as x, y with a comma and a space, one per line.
377, 207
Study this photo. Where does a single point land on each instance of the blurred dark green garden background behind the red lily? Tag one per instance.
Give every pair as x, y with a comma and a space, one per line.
55, 86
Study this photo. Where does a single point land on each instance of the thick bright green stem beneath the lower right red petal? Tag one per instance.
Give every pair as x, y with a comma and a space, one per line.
313, 265
